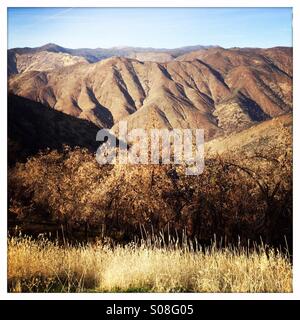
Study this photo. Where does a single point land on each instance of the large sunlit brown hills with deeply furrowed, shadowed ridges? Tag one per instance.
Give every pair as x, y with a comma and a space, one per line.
217, 89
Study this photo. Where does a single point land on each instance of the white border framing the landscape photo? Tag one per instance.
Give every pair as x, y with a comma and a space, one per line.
4, 4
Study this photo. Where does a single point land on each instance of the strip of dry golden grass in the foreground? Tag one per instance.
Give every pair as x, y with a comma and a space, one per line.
43, 266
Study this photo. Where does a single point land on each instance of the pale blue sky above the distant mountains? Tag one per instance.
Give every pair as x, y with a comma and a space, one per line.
149, 27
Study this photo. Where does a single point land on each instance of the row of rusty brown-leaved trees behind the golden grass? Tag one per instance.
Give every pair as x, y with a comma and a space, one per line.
241, 194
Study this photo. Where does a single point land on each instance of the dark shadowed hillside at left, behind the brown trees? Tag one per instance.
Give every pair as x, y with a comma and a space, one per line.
33, 127
